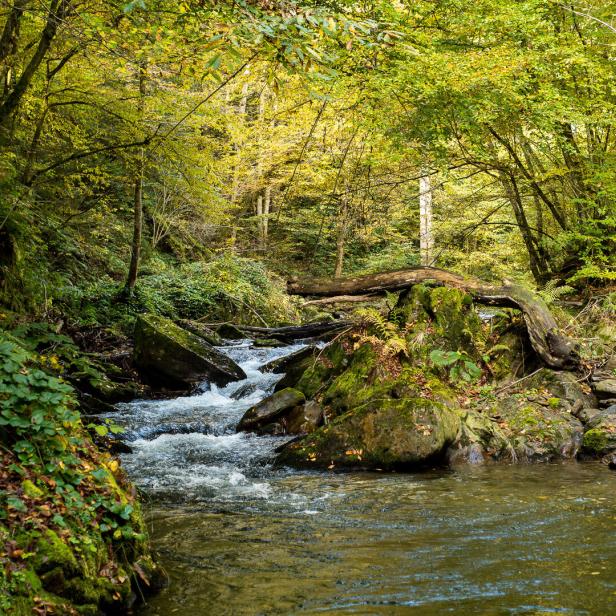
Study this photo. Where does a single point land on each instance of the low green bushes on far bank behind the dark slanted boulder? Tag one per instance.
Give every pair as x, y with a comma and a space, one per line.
226, 288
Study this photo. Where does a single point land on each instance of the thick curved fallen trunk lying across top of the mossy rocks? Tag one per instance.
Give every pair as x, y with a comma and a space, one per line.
553, 347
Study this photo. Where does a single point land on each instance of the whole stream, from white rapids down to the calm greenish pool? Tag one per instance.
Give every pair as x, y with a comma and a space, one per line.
240, 537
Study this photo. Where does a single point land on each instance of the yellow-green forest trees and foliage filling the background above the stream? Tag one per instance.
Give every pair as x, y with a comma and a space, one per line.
143, 134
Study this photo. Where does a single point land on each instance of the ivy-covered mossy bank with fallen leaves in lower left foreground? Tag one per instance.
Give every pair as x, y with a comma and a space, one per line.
72, 536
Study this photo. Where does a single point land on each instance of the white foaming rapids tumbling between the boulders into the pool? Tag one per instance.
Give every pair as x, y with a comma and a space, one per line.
186, 449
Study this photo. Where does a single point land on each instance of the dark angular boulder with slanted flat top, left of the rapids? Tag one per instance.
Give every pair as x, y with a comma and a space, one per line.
168, 356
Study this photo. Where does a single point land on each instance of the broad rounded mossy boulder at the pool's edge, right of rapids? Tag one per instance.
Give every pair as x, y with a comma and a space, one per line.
384, 434
